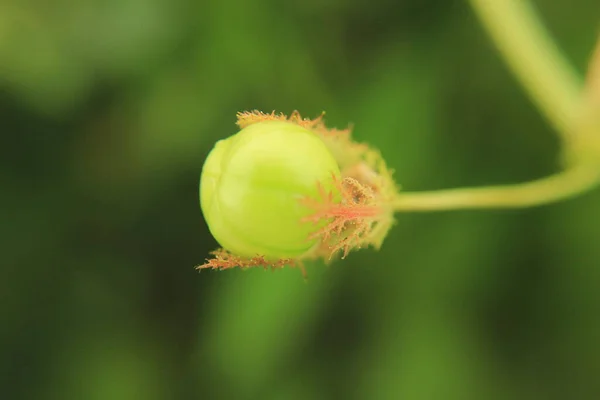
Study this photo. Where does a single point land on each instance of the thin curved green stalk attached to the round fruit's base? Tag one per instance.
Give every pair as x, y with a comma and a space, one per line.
564, 185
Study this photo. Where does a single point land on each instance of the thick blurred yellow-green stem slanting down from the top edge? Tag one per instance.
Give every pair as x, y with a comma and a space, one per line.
534, 58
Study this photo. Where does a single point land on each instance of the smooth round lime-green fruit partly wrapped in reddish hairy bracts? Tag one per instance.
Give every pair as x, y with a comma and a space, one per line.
252, 183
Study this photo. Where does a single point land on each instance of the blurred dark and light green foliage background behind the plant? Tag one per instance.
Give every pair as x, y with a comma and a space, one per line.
107, 112
